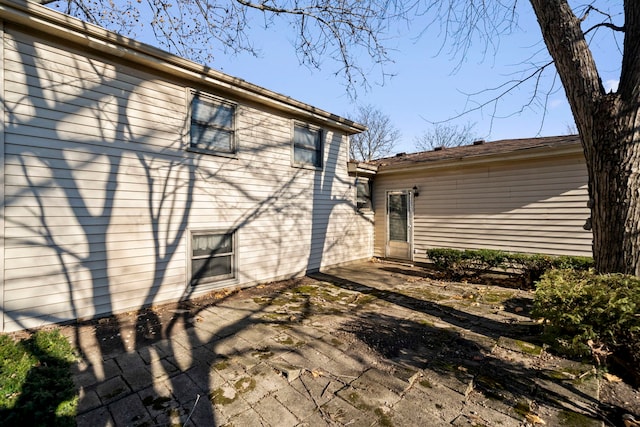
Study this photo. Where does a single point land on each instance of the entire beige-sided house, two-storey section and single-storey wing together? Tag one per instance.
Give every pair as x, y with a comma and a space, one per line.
133, 177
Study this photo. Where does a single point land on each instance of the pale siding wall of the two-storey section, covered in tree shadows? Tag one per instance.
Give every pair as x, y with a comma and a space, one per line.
100, 191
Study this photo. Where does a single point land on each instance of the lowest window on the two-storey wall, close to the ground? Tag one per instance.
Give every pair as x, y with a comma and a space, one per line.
212, 256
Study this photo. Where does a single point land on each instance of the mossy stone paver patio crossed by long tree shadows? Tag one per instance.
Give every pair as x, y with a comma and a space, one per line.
360, 345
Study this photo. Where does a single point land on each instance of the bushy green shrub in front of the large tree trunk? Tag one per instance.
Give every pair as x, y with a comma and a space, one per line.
591, 314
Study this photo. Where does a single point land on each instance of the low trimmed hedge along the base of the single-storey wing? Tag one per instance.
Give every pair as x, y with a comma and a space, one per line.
528, 267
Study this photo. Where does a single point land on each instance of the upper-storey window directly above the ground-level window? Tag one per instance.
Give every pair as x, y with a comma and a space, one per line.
212, 127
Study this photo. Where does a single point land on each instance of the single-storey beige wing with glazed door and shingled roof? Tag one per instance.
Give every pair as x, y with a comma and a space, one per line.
523, 195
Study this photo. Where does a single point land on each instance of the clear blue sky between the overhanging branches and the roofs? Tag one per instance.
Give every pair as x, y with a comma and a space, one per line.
425, 87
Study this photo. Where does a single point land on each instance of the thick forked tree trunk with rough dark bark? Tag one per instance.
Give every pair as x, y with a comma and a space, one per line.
609, 125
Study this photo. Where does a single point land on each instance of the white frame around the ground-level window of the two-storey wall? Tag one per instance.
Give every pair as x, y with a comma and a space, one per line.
213, 281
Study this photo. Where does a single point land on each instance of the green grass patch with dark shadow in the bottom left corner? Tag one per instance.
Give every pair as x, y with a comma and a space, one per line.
36, 387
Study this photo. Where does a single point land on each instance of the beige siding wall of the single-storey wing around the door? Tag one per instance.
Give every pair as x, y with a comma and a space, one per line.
534, 206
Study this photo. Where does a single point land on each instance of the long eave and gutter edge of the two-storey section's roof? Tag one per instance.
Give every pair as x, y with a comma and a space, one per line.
32, 15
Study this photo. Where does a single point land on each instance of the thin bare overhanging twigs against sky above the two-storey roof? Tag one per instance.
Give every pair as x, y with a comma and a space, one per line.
350, 33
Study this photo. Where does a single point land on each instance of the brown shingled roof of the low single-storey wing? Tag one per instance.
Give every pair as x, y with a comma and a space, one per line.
479, 150
